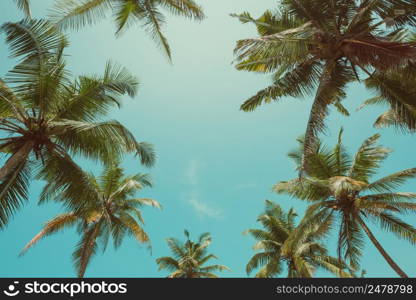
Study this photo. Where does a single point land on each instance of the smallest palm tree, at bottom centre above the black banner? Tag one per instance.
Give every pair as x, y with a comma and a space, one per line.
189, 258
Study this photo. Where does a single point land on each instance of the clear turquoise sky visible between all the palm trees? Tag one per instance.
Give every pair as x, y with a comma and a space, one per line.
216, 164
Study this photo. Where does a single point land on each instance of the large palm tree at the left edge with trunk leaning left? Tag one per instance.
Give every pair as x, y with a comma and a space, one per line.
46, 116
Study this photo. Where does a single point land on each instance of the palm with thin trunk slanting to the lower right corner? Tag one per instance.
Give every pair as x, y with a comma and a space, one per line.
339, 186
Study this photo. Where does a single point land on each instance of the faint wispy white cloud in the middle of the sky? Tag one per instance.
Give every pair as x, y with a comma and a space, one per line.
202, 208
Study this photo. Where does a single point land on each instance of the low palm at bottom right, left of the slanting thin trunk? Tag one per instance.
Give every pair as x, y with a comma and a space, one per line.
281, 243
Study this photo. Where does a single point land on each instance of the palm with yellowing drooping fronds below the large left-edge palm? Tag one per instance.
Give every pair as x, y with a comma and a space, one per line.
101, 208
